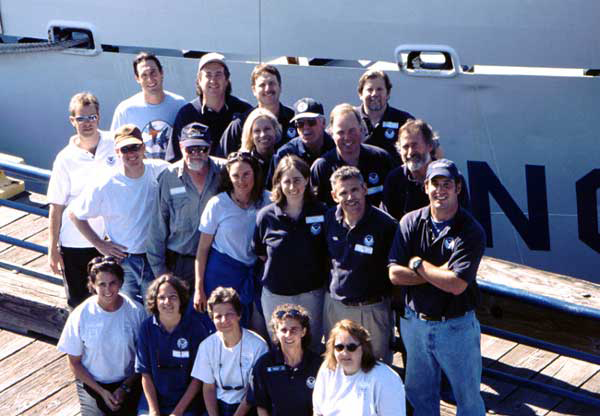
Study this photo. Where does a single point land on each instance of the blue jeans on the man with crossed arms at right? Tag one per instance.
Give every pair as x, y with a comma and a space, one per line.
453, 346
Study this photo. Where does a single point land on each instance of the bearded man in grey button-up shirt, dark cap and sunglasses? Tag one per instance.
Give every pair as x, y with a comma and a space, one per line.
184, 188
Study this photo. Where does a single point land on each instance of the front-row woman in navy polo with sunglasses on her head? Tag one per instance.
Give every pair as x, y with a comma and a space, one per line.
283, 379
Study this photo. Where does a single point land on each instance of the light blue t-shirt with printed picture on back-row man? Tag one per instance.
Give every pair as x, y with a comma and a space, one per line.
154, 120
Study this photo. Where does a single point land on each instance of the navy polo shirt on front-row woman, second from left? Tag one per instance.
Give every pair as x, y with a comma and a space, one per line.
169, 357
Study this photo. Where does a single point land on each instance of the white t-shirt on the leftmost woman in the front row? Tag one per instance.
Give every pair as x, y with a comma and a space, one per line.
105, 341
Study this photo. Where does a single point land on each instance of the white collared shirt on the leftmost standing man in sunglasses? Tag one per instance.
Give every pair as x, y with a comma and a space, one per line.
73, 169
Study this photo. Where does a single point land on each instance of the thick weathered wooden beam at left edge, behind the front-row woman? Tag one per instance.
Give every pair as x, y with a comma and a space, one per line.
32, 304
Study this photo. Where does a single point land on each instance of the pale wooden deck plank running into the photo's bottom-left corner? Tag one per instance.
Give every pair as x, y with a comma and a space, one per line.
35, 388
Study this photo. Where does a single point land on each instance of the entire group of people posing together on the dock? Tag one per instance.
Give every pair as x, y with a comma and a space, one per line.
234, 224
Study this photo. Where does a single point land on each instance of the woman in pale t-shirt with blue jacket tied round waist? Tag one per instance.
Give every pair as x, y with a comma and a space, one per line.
224, 256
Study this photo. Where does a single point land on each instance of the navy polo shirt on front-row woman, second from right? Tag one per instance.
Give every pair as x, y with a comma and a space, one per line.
282, 390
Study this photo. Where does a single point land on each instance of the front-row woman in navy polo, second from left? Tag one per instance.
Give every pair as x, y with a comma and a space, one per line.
167, 347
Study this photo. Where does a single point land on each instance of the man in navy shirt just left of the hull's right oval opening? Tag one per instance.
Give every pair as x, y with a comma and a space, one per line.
382, 120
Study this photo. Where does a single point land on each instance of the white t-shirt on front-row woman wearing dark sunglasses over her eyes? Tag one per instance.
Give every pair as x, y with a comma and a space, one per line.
378, 392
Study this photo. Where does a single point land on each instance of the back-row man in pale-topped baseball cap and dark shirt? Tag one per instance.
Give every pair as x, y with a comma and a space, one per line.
214, 107
